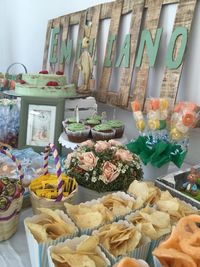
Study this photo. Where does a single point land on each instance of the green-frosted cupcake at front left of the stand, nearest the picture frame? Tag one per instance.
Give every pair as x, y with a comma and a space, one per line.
77, 132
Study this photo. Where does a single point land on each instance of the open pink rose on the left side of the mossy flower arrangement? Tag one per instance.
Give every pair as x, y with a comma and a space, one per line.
87, 161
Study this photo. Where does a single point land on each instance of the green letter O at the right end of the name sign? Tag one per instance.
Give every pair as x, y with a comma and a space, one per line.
172, 63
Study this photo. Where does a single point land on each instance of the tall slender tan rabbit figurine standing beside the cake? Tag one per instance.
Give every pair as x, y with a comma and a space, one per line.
85, 64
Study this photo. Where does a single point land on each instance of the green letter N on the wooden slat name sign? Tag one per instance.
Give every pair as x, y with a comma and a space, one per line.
152, 48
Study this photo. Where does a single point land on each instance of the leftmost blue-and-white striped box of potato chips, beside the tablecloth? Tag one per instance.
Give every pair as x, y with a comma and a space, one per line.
45, 229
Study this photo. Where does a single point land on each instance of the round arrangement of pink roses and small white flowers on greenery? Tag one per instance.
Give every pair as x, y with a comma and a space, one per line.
103, 166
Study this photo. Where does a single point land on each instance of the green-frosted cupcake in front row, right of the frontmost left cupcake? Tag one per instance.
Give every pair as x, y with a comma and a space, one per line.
102, 132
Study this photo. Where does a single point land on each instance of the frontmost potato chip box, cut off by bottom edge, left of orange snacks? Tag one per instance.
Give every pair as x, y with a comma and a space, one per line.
76, 252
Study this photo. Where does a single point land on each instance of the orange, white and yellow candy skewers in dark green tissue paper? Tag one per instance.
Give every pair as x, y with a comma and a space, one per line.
164, 133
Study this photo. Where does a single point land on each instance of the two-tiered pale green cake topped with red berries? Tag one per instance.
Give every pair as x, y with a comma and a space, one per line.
44, 85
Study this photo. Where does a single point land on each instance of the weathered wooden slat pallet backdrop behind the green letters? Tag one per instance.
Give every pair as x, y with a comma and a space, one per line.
144, 13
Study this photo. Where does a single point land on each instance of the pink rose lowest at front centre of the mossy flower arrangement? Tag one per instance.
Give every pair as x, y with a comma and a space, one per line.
110, 172
